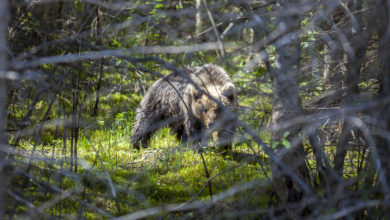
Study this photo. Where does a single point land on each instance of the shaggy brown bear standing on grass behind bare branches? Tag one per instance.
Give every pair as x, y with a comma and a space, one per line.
192, 113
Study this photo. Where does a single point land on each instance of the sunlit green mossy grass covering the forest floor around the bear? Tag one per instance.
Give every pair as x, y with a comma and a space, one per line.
115, 178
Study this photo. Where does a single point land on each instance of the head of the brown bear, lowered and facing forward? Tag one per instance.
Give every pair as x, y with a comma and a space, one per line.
208, 111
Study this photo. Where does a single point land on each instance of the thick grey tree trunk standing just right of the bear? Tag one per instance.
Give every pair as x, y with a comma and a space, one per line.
287, 106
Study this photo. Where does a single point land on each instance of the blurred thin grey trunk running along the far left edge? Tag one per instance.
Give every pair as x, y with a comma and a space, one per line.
4, 179
